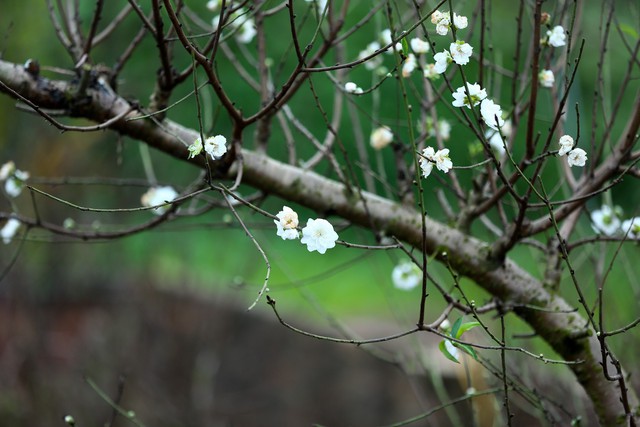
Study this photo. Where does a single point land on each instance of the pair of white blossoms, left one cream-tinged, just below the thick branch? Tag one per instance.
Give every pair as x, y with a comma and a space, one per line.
318, 234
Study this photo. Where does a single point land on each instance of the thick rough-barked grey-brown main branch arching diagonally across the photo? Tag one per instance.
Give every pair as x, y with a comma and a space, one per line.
564, 331
